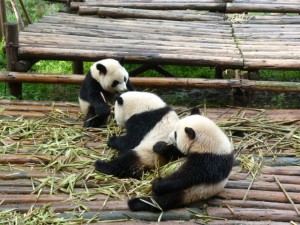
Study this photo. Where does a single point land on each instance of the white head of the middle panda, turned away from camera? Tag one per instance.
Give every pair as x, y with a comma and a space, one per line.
134, 102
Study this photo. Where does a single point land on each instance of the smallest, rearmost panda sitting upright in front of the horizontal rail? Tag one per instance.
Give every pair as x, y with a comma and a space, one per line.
104, 79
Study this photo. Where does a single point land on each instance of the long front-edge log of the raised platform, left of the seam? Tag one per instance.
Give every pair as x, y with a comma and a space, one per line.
27, 52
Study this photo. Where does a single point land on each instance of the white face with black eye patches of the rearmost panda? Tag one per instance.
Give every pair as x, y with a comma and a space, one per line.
111, 75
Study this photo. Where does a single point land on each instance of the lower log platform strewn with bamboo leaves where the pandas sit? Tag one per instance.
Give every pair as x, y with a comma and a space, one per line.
47, 157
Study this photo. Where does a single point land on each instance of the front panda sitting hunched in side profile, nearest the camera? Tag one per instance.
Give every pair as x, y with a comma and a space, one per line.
204, 173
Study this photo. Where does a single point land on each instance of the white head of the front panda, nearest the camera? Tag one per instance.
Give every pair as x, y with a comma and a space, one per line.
197, 133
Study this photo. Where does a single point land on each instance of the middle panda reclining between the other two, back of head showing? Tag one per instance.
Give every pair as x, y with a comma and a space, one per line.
147, 119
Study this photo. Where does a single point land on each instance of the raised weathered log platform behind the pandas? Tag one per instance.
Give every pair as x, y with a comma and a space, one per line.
184, 37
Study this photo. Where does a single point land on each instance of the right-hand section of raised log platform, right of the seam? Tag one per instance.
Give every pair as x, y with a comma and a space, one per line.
277, 52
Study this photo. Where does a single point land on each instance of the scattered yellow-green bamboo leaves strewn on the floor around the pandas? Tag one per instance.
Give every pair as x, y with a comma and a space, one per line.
68, 151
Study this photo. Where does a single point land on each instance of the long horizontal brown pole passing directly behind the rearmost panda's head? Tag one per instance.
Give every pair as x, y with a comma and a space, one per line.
275, 86
